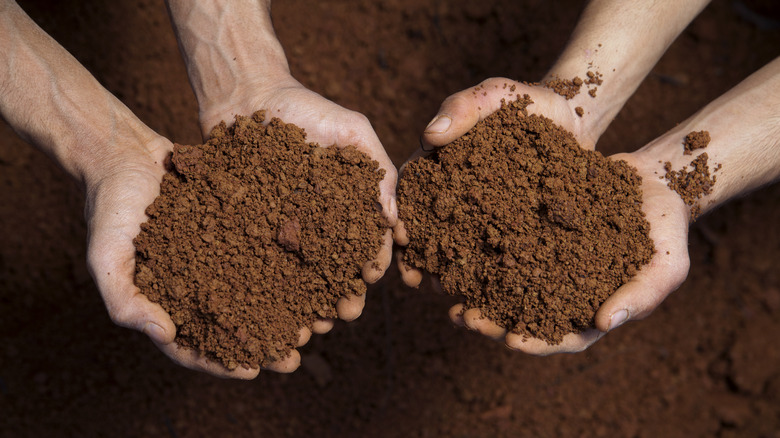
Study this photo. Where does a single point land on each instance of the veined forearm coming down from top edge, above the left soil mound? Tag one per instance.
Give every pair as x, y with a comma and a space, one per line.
229, 47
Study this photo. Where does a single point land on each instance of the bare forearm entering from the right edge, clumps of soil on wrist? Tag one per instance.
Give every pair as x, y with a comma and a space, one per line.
744, 126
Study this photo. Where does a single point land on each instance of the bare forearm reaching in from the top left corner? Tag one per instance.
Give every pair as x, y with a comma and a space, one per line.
54, 103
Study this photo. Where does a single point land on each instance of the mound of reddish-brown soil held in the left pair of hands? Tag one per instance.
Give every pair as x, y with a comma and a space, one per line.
255, 235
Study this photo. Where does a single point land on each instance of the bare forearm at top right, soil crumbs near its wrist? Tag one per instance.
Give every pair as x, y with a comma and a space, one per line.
622, 40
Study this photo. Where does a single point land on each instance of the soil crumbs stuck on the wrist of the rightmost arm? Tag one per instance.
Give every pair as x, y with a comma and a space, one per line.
697, 182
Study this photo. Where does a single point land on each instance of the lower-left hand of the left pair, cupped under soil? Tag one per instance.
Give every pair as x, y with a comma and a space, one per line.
117, 197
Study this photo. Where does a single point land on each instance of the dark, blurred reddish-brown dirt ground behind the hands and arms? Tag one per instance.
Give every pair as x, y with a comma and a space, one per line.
706, 363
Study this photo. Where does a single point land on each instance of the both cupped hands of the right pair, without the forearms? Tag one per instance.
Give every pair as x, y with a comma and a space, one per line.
666, 212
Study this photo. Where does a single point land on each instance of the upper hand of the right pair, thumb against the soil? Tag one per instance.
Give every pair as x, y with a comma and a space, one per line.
461, 111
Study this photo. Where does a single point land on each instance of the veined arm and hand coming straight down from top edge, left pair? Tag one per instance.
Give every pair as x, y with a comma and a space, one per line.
237, 66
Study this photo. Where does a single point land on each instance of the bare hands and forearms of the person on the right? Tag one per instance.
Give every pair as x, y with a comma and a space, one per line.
623, 40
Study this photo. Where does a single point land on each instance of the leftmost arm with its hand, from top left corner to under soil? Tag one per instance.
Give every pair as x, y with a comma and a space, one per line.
53, 102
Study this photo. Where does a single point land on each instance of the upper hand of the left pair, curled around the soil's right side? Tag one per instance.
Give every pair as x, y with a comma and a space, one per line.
327, 124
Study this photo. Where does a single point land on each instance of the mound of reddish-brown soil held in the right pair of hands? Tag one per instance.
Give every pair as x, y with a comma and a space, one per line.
531, 229
